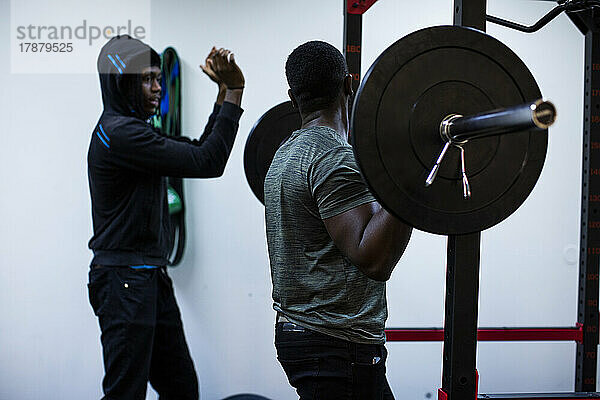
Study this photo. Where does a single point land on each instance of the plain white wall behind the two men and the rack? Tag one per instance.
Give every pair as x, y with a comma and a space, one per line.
49, 338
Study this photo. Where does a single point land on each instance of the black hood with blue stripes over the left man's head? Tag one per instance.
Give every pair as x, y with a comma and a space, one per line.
120, 63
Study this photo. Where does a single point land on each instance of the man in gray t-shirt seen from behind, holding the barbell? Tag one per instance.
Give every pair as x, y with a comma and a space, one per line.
331, 245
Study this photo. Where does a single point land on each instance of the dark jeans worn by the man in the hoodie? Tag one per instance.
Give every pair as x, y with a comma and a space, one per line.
142, 334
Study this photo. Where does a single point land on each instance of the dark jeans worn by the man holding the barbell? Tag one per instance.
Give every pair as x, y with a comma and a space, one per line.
322, 367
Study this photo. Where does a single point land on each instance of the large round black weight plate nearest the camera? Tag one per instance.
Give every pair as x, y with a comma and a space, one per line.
407, 92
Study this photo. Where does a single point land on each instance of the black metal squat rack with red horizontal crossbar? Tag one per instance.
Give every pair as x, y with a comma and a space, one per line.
460, 334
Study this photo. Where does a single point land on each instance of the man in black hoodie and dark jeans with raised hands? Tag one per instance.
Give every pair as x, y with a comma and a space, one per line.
129, 289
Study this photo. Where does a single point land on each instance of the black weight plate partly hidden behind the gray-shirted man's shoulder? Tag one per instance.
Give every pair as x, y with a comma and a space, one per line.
269, 132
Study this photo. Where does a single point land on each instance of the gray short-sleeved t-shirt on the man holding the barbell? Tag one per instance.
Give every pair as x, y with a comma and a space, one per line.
314, 176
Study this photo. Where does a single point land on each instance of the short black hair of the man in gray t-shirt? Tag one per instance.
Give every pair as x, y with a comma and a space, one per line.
315, 72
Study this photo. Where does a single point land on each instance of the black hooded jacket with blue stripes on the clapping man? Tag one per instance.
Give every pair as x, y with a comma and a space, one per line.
128, 161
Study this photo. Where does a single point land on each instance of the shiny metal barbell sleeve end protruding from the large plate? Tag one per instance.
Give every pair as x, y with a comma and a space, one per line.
539, 114
